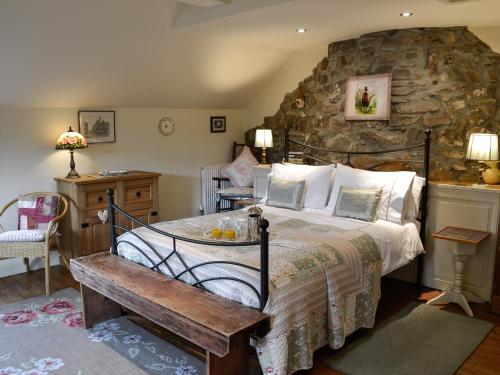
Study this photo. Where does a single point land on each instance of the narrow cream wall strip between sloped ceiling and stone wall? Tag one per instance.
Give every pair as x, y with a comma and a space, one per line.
298, 67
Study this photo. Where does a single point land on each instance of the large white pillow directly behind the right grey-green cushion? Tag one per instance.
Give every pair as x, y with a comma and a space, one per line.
395, 186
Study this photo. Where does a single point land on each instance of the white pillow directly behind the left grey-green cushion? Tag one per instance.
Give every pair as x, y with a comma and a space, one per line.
318, 181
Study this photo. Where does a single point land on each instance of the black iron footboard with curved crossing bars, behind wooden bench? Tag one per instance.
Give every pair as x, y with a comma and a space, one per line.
261, 294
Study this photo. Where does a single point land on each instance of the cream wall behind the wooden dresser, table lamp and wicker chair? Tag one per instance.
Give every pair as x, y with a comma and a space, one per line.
28, 161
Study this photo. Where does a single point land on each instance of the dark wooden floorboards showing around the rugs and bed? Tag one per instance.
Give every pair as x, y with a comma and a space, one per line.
395, 295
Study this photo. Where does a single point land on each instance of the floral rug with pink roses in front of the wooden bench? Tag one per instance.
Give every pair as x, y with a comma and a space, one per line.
45, 335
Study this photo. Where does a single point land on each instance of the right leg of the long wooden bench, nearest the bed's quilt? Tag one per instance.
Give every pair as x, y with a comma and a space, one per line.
235, 362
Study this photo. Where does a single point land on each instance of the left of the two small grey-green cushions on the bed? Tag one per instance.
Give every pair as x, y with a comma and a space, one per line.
285, 194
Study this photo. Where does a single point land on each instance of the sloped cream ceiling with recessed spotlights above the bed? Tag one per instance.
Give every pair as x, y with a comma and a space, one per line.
104, 53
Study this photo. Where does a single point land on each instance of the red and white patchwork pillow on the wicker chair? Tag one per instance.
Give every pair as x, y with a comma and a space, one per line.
35, 212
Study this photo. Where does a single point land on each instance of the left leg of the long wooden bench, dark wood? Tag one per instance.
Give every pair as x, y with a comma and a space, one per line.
97, 308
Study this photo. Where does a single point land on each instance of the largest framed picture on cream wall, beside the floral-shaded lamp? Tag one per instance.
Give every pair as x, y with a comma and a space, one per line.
97, 126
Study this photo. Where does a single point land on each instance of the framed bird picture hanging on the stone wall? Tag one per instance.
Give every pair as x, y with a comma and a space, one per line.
368, 97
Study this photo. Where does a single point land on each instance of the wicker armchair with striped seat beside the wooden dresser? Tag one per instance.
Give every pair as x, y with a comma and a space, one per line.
37, 249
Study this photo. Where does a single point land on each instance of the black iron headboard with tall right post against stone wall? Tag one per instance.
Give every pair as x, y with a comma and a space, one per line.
426, 146
